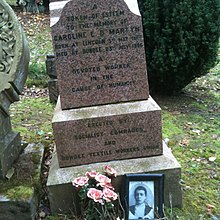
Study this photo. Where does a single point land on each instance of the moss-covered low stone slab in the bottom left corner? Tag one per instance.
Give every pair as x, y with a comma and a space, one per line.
19, 196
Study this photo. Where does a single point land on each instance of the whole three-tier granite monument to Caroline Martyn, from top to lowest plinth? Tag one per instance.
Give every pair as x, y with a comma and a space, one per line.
105, 114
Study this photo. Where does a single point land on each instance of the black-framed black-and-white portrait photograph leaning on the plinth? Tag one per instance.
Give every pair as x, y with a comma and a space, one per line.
143, 196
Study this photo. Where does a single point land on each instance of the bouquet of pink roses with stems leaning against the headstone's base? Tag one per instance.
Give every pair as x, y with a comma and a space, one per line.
97, 195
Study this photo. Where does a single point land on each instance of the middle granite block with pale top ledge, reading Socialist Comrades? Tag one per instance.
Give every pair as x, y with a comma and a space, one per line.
107, 132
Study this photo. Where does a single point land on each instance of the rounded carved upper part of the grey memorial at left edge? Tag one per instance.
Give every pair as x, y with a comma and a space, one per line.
12, 47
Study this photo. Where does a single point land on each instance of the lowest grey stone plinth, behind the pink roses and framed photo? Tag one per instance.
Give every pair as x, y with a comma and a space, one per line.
61, 191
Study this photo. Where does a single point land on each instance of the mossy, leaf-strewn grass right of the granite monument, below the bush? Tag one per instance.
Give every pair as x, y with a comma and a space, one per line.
192, 124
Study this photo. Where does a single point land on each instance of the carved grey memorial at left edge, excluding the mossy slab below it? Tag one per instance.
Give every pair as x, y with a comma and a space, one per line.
14, 59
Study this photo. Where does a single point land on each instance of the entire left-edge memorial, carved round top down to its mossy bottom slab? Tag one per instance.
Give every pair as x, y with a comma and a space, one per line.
20, 164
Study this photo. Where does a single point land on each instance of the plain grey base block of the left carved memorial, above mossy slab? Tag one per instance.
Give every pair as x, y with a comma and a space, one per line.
10, 148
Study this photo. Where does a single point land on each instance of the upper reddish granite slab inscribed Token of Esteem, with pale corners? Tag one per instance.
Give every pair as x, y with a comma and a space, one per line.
99, 50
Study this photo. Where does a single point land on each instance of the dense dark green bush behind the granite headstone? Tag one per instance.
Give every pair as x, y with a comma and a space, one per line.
181, 40
